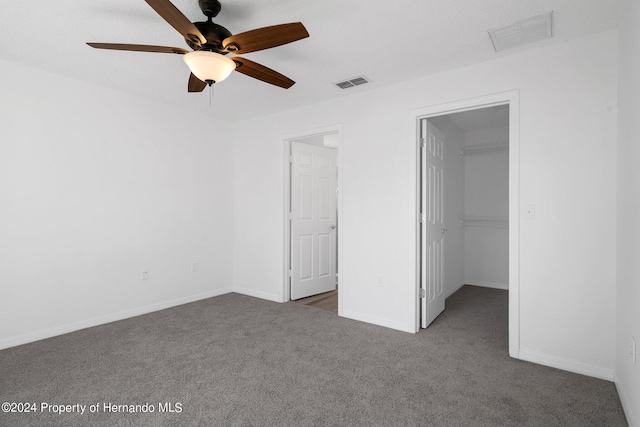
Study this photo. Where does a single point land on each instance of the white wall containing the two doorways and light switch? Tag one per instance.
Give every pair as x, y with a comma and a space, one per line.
567, 280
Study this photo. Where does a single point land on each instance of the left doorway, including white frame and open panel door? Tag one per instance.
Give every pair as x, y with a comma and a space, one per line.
312, 214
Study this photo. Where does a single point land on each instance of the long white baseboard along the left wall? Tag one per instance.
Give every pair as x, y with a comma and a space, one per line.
101, 320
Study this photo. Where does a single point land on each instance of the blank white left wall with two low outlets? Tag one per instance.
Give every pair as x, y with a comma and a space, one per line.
95, 186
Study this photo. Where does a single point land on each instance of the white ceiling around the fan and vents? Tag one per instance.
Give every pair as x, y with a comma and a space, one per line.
383, 40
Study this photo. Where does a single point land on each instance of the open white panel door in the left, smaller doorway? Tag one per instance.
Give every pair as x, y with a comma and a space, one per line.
313, 220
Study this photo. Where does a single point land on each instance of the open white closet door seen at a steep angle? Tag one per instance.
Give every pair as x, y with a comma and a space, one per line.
432, 231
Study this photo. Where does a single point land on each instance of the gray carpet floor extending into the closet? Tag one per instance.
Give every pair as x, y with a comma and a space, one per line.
235, 360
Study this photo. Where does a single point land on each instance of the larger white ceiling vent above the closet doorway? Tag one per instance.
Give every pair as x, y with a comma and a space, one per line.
522, 32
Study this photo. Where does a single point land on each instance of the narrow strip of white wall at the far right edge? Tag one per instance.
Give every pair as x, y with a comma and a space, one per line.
628, 297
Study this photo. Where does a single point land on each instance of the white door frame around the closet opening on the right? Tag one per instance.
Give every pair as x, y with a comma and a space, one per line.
512, 99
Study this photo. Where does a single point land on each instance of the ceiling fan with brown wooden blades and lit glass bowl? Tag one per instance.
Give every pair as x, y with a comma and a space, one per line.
211, 42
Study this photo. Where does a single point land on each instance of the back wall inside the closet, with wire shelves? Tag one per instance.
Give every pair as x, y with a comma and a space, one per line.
486, 206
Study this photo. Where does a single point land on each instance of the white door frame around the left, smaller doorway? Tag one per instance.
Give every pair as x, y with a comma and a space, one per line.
285, 294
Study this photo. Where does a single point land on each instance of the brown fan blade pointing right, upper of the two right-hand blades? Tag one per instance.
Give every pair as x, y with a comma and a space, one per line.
265, 38
